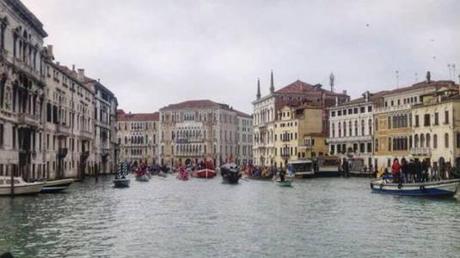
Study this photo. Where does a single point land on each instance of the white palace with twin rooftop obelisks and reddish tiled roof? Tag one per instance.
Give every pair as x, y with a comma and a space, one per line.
266, 109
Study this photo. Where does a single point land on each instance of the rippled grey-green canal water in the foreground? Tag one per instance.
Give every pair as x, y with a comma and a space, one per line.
333, 217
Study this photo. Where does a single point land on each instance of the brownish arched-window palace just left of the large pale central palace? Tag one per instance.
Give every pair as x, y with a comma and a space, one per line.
137, 136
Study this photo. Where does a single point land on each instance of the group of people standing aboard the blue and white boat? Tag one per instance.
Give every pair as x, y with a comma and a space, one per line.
415, 171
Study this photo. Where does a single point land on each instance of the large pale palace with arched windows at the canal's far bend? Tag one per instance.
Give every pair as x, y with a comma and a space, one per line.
194, 130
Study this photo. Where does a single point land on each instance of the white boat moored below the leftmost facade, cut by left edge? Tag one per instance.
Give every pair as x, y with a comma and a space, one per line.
20, 187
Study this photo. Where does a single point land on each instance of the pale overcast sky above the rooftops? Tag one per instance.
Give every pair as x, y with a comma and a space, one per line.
153, 53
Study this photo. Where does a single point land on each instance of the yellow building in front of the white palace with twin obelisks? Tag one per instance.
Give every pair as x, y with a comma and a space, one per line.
299, 134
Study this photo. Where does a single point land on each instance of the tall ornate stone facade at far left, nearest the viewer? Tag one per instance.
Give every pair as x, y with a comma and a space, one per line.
22, 91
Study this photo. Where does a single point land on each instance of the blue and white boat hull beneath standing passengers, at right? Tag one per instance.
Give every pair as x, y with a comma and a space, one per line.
434, 188
